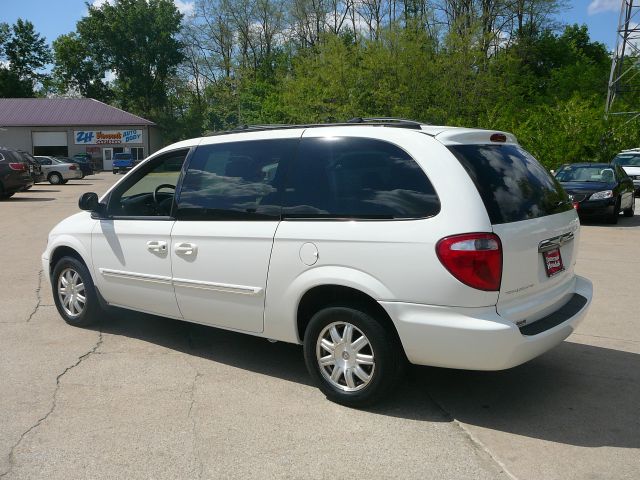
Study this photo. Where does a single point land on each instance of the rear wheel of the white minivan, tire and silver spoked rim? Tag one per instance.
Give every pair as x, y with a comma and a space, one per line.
381, 347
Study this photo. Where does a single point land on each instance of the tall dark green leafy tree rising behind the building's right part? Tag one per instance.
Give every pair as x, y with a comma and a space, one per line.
135, 39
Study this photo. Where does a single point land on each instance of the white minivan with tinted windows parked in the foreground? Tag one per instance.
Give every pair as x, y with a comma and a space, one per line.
372, 243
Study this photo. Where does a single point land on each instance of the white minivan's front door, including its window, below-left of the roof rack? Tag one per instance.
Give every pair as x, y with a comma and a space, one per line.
130, 248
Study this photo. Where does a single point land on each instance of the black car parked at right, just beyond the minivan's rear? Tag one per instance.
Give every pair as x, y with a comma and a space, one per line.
598, 190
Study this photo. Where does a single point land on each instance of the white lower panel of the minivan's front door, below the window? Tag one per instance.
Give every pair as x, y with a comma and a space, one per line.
133, 266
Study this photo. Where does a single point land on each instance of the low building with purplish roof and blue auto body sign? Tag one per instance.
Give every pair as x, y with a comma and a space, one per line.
70, 126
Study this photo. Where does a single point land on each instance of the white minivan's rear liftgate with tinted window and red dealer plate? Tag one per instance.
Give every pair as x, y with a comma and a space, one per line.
536, 223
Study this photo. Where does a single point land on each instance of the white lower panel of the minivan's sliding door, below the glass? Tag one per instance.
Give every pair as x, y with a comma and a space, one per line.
220, 271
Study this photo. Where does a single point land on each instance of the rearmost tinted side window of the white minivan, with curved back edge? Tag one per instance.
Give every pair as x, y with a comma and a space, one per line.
357, 178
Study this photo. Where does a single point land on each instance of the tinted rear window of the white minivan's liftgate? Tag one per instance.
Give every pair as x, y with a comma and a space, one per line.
511, 182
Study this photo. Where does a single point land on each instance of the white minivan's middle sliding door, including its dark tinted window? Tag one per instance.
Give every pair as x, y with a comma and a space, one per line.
226, 219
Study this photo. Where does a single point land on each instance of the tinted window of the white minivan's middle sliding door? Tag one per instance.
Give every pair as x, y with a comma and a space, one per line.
235, 181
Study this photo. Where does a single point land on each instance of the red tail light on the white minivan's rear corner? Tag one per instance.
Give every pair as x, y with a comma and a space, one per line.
473, 258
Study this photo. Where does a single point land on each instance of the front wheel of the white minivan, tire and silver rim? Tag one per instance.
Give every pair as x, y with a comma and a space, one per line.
75, 313
